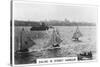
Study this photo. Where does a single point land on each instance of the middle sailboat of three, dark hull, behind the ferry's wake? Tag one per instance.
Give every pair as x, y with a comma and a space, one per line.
55, 39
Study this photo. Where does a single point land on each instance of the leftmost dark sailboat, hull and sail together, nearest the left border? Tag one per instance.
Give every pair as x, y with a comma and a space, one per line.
24, 43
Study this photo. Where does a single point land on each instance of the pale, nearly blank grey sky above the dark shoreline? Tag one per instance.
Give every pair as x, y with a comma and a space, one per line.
31, 11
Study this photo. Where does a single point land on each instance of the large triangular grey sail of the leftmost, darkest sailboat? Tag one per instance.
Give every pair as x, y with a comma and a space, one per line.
25, 40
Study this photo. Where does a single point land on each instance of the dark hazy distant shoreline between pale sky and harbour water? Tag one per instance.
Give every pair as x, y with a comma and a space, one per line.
53, 23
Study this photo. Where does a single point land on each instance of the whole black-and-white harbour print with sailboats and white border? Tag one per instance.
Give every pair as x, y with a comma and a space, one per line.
52, 30
